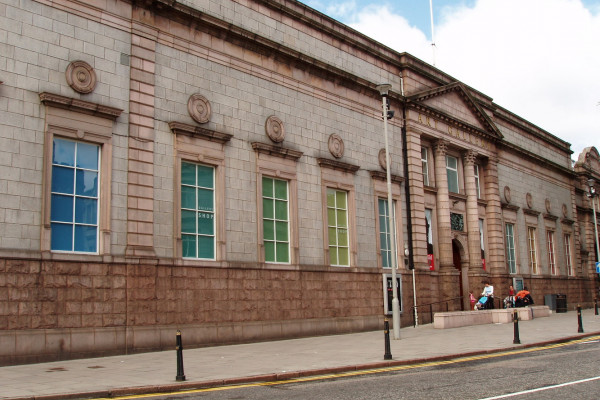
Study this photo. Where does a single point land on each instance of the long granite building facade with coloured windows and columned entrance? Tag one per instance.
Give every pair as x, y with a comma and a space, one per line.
217, 167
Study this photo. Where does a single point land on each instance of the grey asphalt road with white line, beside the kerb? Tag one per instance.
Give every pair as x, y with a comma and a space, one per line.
561, 372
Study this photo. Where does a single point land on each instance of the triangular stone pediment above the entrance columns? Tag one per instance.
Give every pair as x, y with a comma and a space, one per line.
453, 102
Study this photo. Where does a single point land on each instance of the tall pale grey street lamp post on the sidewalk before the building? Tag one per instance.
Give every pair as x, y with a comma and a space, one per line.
383, 90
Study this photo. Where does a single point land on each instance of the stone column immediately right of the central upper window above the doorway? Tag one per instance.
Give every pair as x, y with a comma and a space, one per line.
474, 243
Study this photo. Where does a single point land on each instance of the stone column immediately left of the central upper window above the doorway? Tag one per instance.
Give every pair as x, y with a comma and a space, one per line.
443, 206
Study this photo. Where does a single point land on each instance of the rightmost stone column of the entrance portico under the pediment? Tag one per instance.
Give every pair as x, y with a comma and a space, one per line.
495, 253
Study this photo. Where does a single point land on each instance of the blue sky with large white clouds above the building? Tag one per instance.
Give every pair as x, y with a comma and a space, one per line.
538, 58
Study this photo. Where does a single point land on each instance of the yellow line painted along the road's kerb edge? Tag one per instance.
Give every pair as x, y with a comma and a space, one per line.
361, 372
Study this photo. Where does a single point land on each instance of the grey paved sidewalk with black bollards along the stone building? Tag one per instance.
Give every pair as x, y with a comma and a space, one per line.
266, 361
